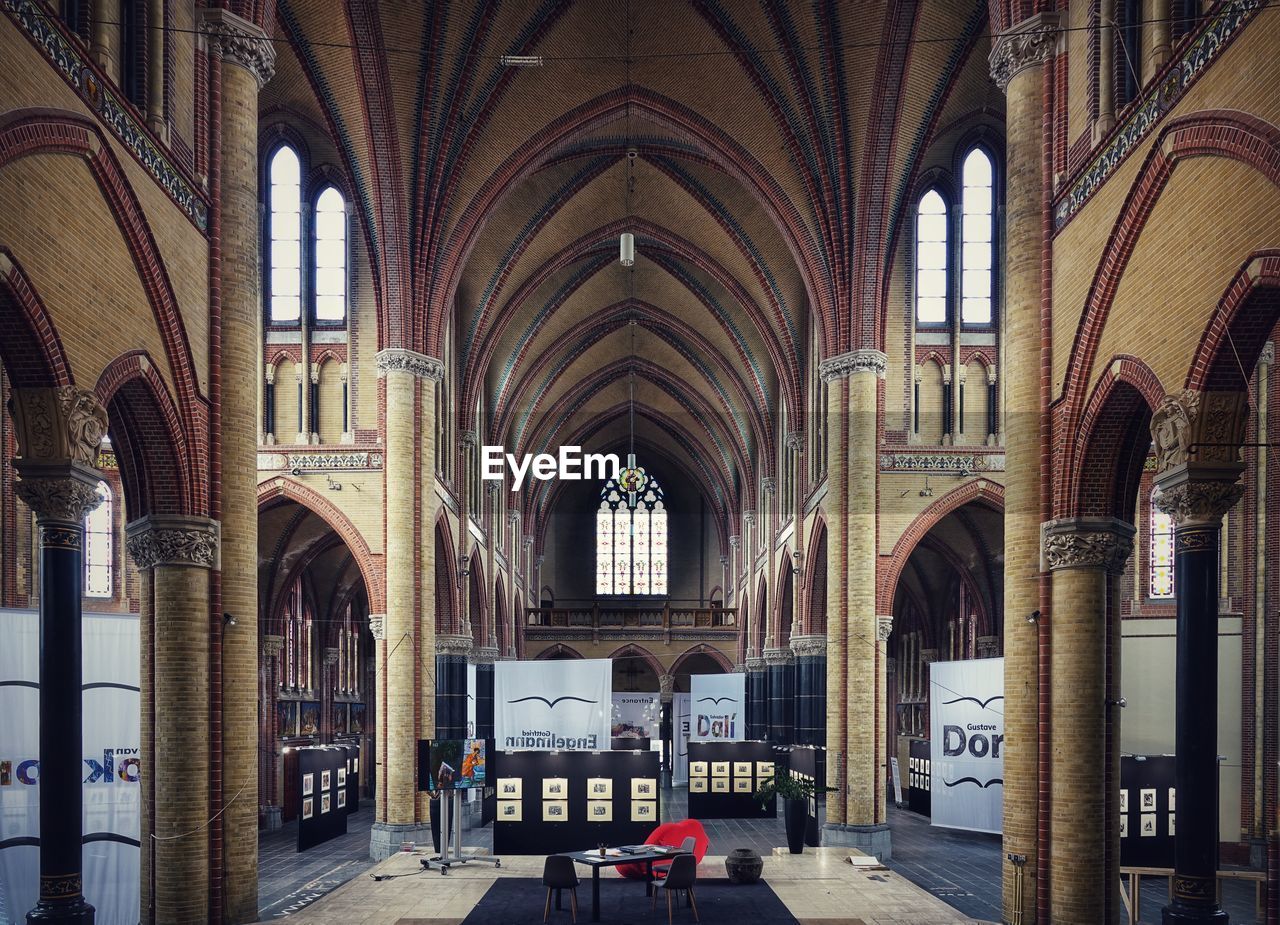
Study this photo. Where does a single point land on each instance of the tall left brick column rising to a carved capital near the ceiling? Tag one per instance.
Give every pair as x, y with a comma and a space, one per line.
248, 61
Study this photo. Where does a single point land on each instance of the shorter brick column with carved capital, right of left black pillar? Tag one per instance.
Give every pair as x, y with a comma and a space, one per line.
179, 556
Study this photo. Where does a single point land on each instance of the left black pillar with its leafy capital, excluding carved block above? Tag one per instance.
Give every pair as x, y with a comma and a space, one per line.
61, 502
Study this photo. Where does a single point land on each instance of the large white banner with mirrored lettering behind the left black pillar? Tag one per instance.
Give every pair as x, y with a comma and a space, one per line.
111, 791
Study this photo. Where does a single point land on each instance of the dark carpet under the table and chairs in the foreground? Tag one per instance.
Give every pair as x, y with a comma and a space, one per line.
623, 903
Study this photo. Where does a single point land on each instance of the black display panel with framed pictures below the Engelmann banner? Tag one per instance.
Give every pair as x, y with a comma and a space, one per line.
548, 803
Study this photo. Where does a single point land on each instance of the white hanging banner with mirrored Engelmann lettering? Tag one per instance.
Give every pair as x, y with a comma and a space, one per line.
563, 704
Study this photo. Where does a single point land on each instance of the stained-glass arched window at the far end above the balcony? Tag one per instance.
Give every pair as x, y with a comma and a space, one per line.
632, 541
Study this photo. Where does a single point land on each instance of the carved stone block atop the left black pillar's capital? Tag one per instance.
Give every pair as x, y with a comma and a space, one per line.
61, 425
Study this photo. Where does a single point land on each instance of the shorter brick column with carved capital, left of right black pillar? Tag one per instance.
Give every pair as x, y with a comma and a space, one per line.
1084, 555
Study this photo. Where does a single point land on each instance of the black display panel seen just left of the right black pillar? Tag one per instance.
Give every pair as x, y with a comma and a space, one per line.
1148, 810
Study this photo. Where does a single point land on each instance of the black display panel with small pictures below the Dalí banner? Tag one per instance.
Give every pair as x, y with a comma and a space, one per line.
732, 795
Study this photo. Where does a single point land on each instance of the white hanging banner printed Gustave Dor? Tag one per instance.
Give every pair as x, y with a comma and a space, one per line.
967, 744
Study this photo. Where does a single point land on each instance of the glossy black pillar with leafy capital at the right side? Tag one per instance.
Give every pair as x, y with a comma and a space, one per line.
1197, 509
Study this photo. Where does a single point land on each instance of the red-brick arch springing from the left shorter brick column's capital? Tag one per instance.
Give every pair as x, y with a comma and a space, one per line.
148, 439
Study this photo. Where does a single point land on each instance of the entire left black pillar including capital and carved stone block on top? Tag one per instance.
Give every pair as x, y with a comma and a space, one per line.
60, 432
